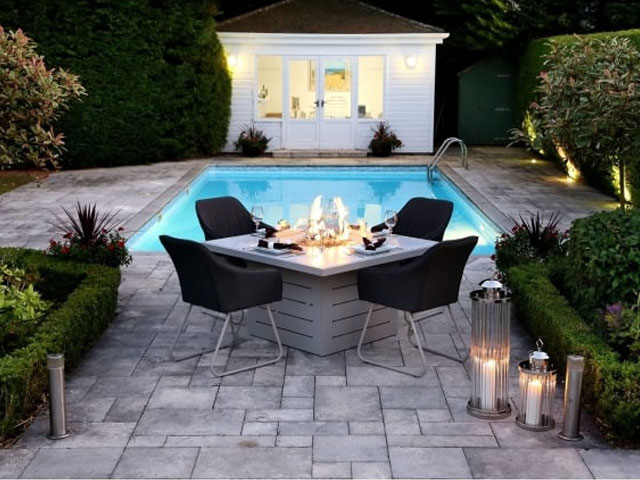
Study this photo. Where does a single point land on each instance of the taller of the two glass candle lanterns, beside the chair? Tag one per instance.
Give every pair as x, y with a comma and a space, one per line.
490, 316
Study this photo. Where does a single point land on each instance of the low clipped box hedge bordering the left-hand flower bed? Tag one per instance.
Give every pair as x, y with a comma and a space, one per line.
87, 296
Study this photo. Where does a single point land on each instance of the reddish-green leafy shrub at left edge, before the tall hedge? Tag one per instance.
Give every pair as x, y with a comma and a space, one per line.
31, 100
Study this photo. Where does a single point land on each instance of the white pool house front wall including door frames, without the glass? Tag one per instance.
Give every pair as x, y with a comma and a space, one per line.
407, 94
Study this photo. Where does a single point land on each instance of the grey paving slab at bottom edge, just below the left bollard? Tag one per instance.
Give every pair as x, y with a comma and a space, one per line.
73, 463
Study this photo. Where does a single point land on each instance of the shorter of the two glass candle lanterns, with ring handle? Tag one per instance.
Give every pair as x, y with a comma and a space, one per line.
537, 390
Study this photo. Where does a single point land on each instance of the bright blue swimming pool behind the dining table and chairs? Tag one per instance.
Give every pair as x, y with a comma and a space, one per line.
287, 192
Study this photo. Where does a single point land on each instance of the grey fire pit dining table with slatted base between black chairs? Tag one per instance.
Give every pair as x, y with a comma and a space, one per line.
320, 311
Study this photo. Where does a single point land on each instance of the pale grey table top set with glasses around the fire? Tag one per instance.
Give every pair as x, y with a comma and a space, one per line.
322, 262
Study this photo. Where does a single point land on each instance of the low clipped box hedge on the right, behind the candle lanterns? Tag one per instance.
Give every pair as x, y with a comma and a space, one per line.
611, 387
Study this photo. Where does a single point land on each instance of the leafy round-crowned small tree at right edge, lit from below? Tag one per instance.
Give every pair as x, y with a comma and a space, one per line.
589, 105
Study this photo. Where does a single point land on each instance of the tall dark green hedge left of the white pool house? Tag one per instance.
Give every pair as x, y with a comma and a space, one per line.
155, 73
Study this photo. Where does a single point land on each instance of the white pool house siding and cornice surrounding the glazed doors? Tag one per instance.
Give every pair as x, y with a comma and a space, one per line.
408, 92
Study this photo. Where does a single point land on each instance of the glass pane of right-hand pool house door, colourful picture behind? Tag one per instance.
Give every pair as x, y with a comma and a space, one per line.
337, 89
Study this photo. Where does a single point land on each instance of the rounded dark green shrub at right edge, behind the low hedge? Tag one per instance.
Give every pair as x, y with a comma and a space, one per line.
604, 266
